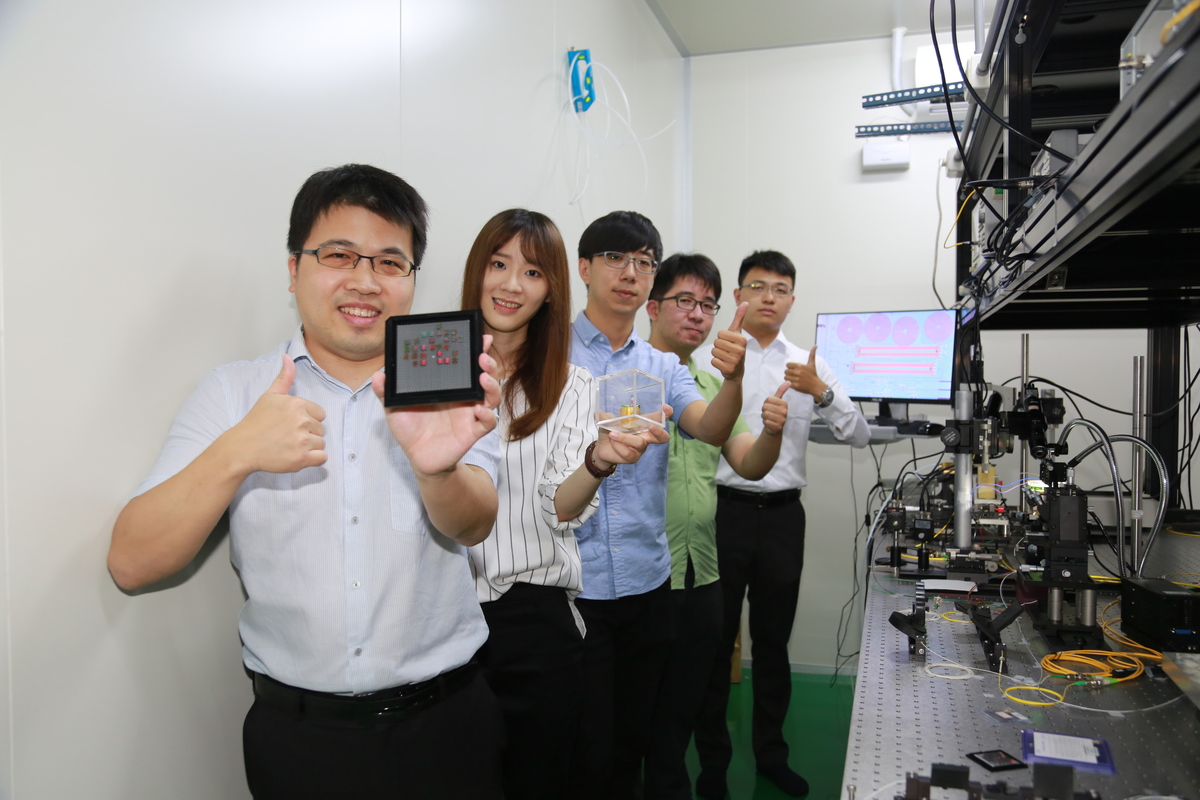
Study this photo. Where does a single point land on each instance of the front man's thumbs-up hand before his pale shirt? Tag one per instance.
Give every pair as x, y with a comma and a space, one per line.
281, 434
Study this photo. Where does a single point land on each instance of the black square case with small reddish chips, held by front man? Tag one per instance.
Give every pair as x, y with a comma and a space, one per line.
434, 358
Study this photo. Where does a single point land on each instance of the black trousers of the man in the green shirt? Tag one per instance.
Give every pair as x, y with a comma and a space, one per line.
699, 617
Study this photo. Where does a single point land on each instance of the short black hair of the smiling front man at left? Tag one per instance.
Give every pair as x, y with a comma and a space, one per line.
359, 185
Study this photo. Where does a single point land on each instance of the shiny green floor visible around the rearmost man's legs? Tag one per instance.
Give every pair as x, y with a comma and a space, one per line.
818, 729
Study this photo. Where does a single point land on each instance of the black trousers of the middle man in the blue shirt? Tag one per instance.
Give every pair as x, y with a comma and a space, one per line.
623, 657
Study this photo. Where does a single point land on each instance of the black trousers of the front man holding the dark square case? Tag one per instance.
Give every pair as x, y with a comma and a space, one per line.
448, 750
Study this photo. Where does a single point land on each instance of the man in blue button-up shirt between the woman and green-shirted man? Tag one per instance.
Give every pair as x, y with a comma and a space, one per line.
627, 562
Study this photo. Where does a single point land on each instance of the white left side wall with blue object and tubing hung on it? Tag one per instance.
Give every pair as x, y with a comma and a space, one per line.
149, 154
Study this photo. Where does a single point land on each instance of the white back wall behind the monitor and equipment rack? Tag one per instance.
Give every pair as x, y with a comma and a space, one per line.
777, 166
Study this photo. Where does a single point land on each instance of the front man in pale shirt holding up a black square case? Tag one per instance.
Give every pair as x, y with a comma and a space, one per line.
349, 524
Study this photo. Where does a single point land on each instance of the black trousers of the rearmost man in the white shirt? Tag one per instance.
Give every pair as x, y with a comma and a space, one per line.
761, 552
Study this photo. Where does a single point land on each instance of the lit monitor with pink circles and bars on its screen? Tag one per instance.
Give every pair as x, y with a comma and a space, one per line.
892, 356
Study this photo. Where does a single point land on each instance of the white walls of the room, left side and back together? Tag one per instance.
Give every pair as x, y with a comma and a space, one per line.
149, 153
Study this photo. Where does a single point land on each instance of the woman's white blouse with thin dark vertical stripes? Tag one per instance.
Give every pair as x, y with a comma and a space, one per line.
529, 544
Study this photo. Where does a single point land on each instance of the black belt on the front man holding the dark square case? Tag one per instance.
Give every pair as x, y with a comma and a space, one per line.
386, 705
